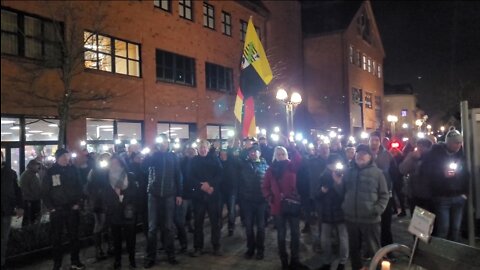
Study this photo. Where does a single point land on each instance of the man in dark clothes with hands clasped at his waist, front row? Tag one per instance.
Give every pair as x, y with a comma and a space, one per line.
205, 174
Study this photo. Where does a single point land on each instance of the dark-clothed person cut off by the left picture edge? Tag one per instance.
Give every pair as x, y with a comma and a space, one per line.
11, 203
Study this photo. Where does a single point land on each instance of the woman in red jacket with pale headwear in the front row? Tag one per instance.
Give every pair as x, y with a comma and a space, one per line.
280, 184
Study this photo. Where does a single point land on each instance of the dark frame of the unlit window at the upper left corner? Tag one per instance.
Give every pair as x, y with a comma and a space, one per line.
22, 37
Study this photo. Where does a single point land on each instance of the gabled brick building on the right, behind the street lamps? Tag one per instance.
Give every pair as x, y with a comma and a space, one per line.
343, 61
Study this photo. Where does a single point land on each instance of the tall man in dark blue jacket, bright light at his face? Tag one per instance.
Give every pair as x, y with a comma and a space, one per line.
164, 192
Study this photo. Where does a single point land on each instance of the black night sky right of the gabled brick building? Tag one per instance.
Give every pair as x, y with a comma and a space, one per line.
435, 46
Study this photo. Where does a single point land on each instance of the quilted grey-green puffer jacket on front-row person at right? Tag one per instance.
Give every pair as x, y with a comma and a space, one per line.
366, 194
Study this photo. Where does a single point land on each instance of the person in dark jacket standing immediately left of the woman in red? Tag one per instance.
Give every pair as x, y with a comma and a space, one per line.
254, 204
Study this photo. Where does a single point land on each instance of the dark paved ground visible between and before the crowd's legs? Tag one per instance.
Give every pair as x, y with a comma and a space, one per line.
233, 248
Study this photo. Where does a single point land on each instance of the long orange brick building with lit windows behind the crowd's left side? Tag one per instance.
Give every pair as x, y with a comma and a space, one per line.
147, 68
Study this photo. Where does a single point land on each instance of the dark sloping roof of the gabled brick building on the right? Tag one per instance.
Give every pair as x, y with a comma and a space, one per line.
319, 17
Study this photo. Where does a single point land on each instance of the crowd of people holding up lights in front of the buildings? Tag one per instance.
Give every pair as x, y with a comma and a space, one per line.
350, 192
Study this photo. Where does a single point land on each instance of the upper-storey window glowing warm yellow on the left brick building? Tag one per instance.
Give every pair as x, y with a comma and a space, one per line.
111, 54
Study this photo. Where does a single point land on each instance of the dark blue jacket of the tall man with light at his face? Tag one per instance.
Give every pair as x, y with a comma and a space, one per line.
164, 175
